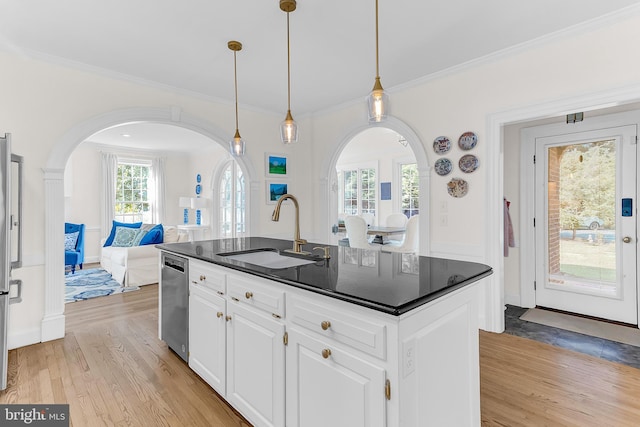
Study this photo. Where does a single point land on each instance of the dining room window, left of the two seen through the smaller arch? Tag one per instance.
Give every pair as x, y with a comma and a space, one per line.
359, 194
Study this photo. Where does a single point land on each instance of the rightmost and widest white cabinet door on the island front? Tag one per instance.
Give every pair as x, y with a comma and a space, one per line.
327, 386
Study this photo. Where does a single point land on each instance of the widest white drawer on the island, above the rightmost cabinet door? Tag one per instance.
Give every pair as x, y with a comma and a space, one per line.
366, 335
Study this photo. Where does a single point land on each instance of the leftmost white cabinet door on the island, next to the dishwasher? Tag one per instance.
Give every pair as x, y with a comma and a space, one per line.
207, 336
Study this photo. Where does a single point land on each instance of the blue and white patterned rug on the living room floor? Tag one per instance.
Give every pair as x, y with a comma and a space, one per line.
91, 283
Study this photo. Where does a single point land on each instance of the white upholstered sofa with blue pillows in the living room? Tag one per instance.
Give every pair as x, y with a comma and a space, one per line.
137, 265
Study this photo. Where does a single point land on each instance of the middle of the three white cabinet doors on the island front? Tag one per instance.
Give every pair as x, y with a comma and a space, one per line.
255, 365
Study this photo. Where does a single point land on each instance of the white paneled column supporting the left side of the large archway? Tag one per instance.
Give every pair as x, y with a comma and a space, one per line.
53, 320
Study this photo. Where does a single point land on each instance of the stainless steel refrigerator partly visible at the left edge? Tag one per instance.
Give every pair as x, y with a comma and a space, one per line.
10, 241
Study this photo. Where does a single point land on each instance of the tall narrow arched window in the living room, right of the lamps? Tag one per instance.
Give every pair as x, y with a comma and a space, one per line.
232, 201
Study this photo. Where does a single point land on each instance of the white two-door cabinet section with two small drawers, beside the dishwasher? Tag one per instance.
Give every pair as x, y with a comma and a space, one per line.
236, 340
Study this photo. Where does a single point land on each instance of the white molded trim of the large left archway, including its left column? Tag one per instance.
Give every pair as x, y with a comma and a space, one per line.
53, 325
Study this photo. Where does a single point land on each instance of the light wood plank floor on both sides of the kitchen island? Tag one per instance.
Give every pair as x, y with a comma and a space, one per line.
112, 370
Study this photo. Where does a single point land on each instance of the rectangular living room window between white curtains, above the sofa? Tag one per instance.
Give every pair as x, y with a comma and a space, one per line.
134, 188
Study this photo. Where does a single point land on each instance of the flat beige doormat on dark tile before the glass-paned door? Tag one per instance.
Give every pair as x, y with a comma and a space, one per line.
581, 325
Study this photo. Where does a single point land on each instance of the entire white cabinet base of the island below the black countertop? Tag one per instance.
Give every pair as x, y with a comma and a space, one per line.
343, 365
